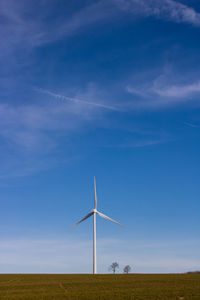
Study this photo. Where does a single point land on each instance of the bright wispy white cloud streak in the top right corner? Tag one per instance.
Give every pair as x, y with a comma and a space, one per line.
163, 9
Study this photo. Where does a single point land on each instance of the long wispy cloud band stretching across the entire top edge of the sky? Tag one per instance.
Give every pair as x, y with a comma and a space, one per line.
26, 23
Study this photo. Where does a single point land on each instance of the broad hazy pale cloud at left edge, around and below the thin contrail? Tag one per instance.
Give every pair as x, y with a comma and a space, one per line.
31, 134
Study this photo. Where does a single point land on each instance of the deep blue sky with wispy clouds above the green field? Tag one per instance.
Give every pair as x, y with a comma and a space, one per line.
106, 88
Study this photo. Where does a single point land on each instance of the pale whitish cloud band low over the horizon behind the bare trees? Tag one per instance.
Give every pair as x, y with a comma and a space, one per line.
63, 255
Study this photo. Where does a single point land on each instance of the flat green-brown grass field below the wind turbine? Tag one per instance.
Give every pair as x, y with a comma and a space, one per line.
136, 287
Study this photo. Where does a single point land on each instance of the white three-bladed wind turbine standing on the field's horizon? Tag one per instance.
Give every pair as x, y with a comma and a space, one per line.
94, 212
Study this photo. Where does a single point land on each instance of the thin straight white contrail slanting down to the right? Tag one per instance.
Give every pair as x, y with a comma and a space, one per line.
62, 97
